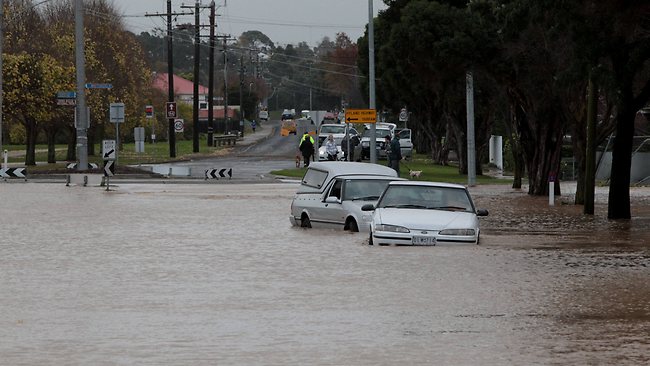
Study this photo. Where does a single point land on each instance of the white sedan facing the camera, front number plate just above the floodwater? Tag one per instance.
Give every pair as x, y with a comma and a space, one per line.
424, 213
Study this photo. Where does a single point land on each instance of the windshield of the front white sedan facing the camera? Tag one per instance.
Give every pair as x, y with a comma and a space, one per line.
426, 197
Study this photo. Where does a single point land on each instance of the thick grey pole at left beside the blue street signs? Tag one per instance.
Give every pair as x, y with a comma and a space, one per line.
82, 120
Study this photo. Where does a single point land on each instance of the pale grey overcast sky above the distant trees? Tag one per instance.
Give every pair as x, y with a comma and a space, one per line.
284, 21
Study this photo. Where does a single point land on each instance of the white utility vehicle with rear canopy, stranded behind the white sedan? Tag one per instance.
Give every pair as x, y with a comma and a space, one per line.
332, 193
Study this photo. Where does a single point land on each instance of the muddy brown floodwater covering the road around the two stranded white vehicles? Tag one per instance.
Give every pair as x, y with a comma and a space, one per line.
213, 274
